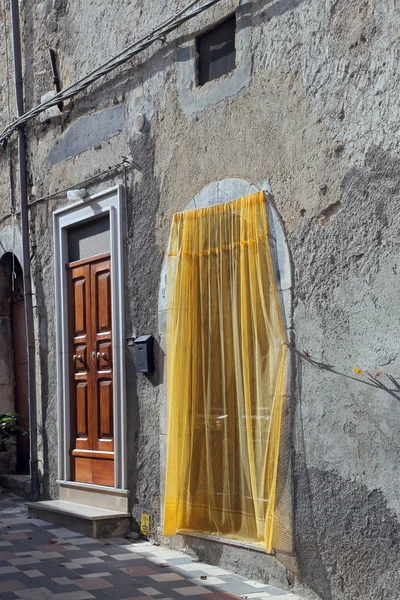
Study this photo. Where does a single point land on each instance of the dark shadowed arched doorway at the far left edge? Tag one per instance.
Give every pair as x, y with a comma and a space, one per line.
15, 366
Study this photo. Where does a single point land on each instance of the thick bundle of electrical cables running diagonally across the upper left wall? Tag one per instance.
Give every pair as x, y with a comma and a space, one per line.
157, 34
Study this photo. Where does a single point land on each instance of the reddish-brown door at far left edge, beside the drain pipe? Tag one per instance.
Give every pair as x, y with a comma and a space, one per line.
21, 381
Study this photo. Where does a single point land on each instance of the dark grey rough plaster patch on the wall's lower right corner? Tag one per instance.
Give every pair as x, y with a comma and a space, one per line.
347, 539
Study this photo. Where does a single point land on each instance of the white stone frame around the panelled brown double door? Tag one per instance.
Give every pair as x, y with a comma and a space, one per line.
109, 202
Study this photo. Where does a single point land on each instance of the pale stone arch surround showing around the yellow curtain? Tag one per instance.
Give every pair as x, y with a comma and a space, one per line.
218, 192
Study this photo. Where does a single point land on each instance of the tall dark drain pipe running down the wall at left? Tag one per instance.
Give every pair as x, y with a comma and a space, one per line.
26, 266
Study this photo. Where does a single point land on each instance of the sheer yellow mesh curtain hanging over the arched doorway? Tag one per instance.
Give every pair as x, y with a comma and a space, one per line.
225, 373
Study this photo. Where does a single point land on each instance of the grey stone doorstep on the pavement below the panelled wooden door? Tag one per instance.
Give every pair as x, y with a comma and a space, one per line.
88, 520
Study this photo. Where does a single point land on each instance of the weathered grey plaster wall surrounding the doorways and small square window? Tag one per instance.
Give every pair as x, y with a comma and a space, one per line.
320, 121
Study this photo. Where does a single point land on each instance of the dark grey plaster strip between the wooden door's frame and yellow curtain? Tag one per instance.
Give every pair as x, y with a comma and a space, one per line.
143, 263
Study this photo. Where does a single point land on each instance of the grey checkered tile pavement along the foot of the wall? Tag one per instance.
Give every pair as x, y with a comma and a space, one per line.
40, 561
